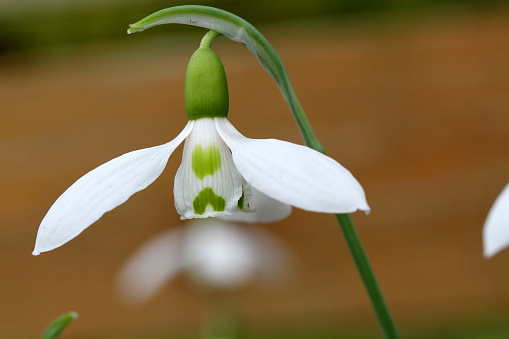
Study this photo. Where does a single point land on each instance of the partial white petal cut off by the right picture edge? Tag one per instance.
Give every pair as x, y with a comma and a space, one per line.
496, 227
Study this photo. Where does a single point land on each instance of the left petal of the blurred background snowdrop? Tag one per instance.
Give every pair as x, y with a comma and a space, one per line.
150, 267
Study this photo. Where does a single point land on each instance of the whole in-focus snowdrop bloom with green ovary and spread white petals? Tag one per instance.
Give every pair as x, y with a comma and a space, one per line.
221, 170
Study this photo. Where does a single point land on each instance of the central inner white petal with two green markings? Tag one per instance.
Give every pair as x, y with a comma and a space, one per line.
207, 183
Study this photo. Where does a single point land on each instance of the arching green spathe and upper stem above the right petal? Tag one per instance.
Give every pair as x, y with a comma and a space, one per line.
241, 31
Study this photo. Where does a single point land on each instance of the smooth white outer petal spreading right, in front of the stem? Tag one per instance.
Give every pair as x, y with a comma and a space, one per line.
294, 174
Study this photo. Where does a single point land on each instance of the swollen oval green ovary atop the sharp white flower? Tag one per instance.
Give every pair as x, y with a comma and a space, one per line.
206, 88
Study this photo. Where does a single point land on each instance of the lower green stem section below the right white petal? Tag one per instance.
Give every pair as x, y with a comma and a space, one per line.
367, 275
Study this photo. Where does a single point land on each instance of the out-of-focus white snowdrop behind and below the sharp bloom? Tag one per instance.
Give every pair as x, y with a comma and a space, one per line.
212, 253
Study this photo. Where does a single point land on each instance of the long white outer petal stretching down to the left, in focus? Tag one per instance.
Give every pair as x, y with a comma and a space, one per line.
101, 190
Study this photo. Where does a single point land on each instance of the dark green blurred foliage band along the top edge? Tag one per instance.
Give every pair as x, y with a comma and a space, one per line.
32, 28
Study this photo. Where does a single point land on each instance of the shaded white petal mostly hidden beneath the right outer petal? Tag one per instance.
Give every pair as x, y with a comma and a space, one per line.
265, 210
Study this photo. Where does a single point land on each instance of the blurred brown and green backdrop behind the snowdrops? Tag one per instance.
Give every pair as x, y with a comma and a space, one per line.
410, 95
